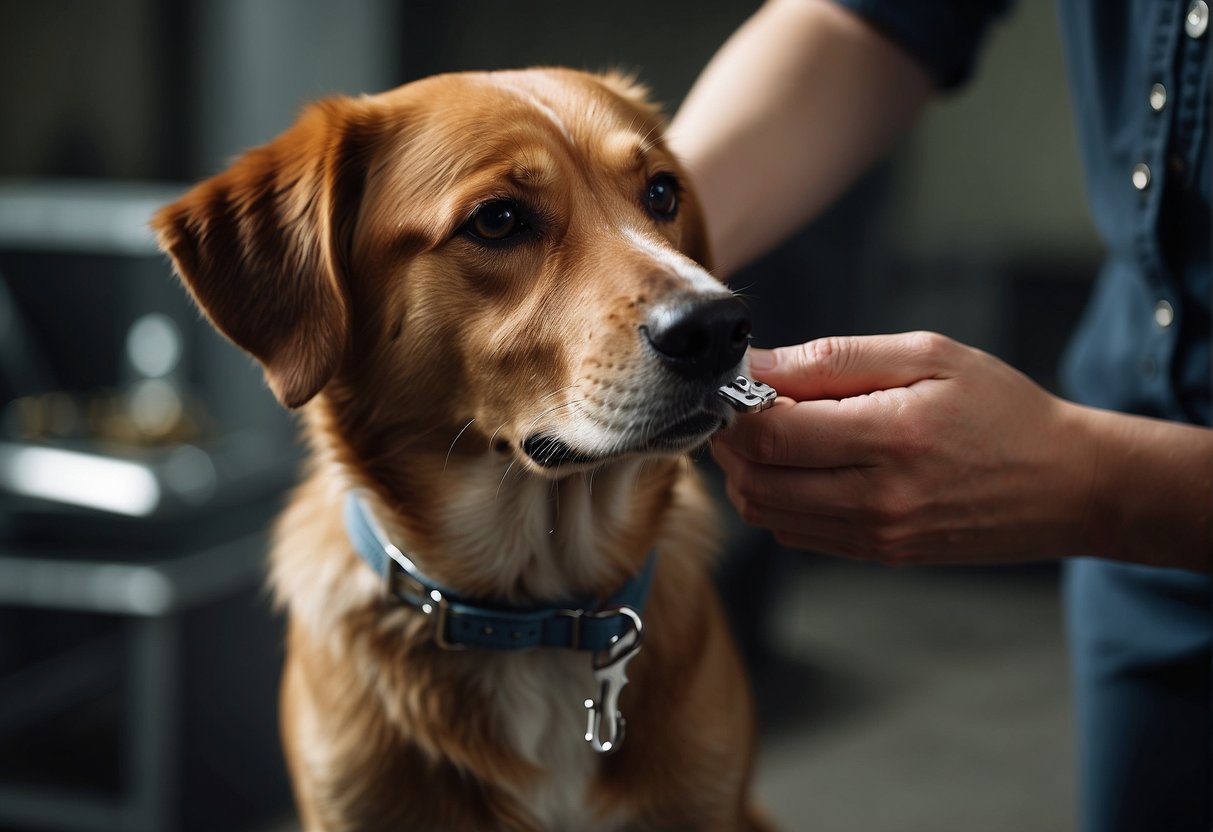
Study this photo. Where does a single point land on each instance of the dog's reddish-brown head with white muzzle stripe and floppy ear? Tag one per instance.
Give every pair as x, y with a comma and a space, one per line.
519, 253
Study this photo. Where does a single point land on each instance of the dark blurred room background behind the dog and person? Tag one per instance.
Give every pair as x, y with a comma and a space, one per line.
141, 458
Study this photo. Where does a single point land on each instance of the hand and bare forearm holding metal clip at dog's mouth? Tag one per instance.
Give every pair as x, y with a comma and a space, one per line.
916, 449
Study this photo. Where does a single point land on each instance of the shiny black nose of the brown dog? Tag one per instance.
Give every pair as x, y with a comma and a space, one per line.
701, 339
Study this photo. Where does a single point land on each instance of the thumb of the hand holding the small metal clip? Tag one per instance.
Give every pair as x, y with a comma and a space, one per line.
841, 367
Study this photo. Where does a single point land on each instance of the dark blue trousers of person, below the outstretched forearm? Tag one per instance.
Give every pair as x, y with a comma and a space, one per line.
1141, 651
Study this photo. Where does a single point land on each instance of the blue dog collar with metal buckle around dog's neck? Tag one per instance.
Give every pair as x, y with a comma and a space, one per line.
462, 624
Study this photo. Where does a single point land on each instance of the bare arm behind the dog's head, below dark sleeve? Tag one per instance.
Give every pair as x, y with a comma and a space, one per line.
800, 102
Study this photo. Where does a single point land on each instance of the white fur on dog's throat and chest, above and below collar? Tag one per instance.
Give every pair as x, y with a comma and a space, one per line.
546, 539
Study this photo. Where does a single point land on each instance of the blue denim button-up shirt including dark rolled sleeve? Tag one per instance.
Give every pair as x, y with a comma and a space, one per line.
1140, 72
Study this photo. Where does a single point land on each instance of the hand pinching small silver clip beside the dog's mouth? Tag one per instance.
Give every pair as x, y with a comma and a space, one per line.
909, 449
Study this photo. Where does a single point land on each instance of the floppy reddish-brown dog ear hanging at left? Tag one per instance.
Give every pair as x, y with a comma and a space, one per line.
263, 247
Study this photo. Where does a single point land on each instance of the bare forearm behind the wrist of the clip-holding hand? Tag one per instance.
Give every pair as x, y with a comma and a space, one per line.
1152, 491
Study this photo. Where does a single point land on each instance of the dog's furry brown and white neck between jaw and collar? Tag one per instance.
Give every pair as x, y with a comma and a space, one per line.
481, 525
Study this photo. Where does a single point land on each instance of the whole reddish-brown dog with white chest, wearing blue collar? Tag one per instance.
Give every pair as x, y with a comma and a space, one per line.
488, 297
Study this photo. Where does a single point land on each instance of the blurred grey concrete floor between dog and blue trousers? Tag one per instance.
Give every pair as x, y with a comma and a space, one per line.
933, 700
